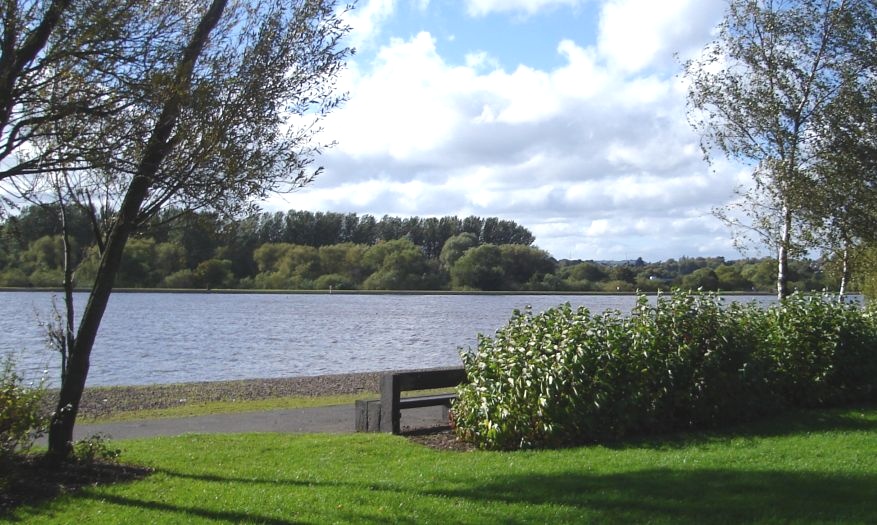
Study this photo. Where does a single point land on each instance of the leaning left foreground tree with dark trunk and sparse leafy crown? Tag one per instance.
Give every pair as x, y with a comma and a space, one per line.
217, 106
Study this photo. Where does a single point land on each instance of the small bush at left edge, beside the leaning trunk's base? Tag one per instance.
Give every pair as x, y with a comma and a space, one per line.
21, 417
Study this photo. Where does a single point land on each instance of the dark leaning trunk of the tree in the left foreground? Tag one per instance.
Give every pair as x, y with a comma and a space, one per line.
158, 147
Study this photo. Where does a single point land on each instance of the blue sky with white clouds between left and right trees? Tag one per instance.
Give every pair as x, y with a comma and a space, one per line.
566, 116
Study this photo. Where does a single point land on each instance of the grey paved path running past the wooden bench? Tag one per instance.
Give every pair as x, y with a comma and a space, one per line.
331, 419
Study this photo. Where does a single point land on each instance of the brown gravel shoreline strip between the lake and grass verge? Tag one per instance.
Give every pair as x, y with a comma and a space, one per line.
106, 401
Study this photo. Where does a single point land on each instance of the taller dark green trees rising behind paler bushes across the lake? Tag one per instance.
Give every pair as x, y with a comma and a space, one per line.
204, 232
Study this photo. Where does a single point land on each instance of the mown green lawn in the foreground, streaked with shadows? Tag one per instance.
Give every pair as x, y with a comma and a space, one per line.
811, 467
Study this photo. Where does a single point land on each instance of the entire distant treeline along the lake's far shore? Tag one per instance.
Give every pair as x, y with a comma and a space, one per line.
306, 250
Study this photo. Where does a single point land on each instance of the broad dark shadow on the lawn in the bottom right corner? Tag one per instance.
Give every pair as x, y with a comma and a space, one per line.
700, 496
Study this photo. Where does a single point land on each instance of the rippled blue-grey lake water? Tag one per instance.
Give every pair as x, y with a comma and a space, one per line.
148, 338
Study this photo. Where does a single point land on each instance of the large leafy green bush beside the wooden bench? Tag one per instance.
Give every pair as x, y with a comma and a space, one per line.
566, 376
